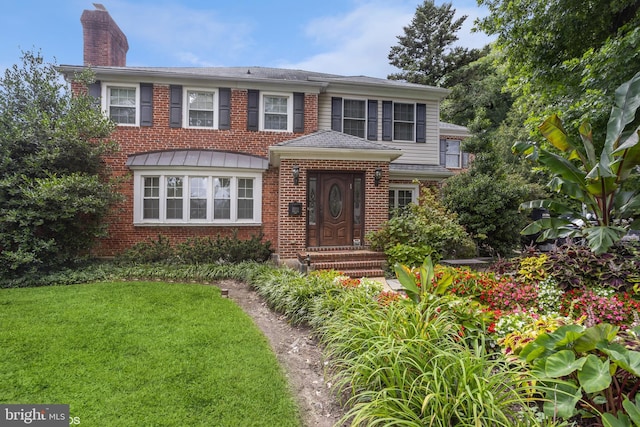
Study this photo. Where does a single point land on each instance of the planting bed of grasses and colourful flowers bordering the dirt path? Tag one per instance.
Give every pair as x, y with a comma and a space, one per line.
392, 356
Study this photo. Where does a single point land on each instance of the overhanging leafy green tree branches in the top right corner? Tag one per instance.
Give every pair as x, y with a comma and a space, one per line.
566, 55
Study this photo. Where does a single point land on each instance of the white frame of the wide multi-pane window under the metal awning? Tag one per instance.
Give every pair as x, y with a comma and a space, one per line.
138, 193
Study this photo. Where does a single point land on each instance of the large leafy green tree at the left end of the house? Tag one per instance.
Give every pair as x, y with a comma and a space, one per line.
53, 190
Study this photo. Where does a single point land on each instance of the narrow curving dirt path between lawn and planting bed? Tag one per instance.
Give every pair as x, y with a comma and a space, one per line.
297, 352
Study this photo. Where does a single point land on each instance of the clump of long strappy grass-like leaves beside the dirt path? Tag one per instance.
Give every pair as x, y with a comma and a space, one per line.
404, 364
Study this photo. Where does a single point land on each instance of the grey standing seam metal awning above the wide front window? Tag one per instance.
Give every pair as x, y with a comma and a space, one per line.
197, 158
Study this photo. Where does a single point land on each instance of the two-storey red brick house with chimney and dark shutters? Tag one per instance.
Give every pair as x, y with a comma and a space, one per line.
311, 160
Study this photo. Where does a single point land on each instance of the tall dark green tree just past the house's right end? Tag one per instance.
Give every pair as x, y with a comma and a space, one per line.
486, 198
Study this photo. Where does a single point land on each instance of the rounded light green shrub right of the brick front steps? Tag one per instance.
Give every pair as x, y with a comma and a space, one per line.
425, 225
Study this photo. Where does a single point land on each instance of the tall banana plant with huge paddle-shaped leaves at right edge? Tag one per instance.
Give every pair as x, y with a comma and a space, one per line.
604, 210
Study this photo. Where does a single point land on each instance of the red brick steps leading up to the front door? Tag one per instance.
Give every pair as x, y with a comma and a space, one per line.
354, 262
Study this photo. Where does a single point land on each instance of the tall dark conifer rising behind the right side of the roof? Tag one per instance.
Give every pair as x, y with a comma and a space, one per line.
424, 52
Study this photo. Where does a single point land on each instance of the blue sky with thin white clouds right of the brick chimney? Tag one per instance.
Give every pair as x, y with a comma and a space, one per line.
356, 42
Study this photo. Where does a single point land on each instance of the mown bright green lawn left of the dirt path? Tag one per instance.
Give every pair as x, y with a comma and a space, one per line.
140, 354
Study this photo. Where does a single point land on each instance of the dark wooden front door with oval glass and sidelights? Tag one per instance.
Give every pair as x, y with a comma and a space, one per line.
335, 214
